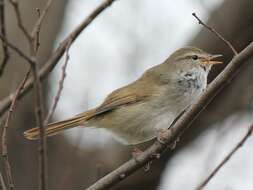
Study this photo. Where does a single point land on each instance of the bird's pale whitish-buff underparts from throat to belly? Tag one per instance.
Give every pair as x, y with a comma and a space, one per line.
142, 121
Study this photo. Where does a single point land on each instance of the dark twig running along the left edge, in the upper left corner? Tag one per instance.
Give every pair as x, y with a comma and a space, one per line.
6, 54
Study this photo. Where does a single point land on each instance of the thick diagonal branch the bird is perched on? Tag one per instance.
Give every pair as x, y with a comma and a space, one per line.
180, 126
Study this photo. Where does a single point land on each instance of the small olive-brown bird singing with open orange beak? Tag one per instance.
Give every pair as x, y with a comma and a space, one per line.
133, 114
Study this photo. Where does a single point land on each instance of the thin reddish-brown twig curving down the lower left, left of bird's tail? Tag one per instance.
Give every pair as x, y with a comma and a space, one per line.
4, 134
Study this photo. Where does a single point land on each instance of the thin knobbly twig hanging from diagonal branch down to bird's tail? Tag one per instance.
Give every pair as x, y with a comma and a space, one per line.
60, 87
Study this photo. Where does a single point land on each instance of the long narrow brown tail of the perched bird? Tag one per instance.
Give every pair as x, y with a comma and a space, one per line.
55, 128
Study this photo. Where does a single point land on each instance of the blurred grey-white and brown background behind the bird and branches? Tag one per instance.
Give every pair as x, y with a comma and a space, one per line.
126, 39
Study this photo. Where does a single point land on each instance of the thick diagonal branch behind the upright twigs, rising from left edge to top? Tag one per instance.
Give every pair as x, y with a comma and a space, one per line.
57, 54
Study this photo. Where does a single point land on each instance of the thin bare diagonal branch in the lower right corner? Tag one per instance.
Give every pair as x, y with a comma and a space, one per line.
226, 159
